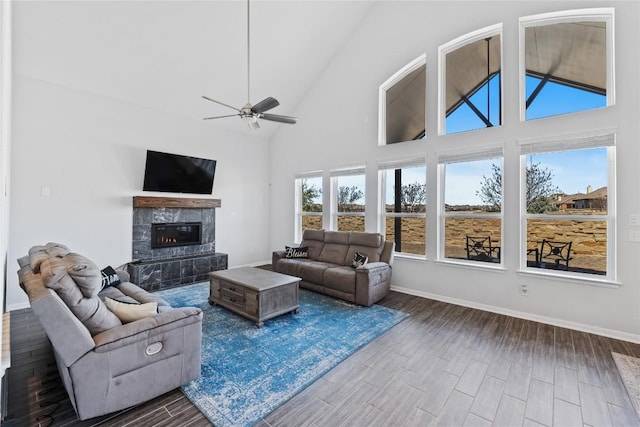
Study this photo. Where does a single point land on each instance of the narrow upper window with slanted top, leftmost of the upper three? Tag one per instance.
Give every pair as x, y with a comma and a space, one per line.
403, 104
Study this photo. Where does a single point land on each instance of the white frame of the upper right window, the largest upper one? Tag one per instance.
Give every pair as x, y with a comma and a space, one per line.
604, 14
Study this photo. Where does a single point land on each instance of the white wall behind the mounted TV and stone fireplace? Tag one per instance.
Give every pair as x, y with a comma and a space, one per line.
90, 152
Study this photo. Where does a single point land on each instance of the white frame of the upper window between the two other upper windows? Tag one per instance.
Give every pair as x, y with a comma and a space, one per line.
443, 50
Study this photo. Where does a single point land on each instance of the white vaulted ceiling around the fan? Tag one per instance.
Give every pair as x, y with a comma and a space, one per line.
165, 55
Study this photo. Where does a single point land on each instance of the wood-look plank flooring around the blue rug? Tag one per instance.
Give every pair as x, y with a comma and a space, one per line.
445, 365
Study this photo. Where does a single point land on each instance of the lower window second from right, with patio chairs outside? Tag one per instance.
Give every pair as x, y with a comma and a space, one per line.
471, 206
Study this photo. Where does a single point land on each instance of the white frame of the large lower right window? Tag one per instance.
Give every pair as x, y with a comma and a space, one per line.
578, 141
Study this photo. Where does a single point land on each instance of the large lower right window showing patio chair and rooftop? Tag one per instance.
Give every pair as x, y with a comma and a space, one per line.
568, 200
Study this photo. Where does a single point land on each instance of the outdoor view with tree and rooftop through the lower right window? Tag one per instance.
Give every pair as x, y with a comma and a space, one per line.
567, 210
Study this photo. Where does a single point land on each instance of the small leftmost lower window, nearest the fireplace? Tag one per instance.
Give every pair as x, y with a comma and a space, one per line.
308, 204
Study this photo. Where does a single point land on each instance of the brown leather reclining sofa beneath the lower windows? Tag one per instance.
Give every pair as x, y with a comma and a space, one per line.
328, 265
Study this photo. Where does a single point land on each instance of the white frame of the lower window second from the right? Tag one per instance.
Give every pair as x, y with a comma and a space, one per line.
444, 158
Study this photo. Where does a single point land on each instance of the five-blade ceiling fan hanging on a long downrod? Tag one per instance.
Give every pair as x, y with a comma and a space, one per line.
251, 113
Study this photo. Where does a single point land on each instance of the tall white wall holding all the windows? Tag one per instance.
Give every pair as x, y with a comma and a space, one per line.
338, 127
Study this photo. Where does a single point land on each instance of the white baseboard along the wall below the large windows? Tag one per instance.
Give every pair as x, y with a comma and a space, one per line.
609, 333
